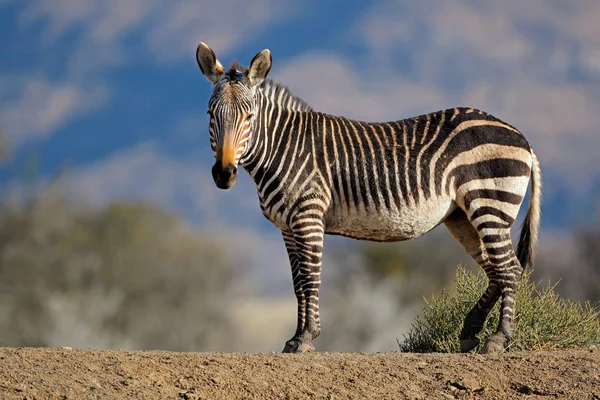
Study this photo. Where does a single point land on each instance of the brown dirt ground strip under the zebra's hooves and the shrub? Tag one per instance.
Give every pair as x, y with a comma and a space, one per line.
57, 373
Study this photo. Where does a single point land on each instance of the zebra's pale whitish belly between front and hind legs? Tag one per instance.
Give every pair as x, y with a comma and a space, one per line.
390, 225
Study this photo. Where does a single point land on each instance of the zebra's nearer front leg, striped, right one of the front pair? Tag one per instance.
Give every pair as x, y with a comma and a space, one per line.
308, 240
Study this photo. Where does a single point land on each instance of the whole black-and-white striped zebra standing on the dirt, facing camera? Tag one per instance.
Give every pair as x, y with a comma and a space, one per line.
392, 181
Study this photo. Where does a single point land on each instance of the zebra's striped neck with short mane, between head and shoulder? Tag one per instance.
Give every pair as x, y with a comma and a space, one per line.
276, 100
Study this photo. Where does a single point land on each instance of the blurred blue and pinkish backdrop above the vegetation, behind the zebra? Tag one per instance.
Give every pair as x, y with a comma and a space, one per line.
111, 88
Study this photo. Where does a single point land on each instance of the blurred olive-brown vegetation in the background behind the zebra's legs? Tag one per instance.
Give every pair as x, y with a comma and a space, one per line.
133, 275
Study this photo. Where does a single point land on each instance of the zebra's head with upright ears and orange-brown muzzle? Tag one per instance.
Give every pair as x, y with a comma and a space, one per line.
232, 108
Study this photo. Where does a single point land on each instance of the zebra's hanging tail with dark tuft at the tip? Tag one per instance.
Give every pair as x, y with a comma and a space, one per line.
531, 224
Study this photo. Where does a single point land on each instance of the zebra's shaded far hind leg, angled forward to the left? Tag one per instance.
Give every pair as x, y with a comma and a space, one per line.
464, 232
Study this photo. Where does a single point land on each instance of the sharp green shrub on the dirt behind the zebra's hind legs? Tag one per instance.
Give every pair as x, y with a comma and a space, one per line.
543, 319
